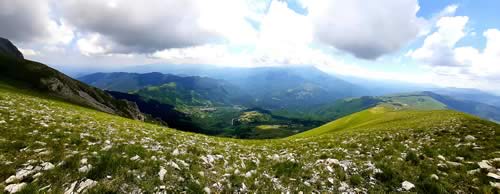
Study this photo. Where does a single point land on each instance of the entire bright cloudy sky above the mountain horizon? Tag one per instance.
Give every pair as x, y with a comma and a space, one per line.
449, 43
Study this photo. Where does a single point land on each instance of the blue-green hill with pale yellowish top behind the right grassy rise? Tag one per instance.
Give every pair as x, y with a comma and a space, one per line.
407, 101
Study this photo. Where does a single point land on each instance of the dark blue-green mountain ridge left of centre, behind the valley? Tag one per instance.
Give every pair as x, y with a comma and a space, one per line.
191, 90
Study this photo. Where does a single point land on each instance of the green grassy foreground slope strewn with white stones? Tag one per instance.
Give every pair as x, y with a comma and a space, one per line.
35, 129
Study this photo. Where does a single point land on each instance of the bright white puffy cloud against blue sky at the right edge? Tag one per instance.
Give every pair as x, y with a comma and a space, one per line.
464, 66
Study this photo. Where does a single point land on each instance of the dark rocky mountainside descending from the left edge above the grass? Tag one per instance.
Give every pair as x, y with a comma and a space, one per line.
44, 79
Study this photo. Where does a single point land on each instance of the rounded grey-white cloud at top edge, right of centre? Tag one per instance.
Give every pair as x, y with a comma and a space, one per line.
366, 29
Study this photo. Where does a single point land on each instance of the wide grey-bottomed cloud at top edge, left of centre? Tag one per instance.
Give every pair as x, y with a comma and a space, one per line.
145, 27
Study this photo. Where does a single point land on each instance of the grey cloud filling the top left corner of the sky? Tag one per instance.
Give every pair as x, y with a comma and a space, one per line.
28, 21
